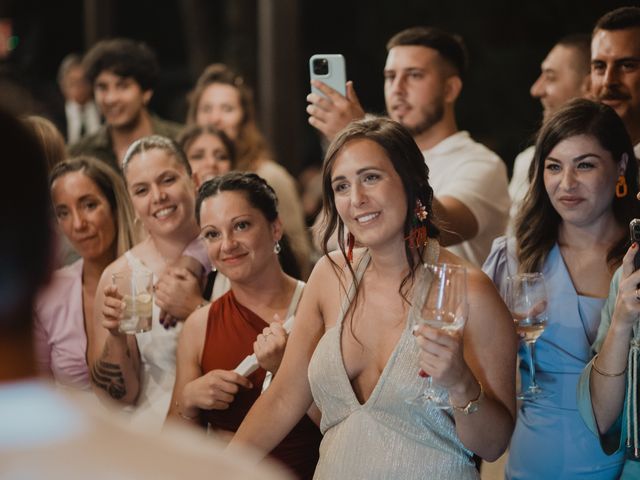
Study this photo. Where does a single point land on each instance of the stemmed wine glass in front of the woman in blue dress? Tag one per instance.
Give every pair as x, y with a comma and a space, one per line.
526, 297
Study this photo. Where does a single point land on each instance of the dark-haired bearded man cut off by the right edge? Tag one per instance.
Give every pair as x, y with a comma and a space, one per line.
615, 66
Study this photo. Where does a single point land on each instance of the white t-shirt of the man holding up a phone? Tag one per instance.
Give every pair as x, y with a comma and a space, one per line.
466, 170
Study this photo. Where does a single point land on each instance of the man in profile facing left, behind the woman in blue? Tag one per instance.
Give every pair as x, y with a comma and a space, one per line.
565, 74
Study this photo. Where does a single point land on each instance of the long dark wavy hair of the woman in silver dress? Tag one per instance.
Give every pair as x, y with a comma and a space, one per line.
408, 162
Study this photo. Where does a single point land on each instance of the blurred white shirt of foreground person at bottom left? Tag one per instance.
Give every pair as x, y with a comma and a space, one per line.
46, 434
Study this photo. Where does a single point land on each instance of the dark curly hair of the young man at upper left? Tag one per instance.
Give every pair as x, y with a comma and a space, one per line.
125, 58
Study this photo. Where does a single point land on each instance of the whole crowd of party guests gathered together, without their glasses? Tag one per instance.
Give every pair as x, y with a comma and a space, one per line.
317, 375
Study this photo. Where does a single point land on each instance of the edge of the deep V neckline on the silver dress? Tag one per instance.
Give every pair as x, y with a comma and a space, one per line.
433, 254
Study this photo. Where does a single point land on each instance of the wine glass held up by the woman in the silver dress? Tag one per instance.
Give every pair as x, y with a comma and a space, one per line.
439, 301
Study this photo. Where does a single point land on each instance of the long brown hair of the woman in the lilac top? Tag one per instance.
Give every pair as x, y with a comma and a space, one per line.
111, 184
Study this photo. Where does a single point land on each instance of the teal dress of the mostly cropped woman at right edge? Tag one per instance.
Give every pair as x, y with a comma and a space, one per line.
613, 441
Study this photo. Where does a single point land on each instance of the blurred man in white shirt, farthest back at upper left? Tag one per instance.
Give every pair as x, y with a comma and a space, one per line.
81, 113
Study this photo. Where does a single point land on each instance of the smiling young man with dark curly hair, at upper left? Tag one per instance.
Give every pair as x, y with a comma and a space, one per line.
123, 74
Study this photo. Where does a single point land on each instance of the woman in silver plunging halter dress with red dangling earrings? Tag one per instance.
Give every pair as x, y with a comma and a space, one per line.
354, 337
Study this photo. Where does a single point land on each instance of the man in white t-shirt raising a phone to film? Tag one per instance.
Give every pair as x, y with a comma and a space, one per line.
423, 79
